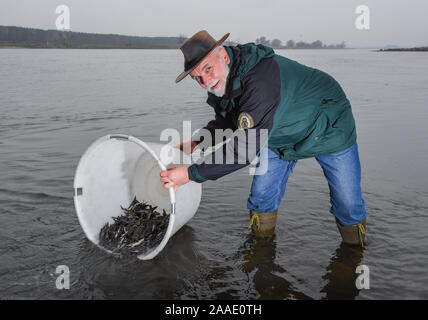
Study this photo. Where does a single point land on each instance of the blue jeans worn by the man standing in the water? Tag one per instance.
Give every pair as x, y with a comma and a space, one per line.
341, 169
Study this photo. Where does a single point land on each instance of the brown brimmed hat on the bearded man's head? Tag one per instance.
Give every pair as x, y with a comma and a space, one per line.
199, 46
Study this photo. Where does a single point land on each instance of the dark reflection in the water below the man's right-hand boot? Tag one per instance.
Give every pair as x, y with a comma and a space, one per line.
341, 276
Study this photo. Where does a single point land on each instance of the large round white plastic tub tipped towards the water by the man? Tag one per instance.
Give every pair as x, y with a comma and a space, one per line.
115, 169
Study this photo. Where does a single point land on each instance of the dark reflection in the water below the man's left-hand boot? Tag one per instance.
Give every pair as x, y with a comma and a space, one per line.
259, 257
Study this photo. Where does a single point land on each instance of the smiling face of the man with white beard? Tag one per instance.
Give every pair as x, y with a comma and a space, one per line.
211, 73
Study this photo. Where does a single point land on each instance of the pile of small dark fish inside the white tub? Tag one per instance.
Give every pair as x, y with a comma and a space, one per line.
136, 231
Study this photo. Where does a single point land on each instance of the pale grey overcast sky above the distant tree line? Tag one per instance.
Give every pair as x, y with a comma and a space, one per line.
399, 22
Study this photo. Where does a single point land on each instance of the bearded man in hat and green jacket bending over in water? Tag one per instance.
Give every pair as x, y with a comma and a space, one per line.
305, 112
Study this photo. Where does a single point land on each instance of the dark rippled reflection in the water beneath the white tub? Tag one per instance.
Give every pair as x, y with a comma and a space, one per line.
103, 276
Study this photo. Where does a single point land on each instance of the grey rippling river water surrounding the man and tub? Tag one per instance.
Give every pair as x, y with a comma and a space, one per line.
55, 103
